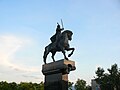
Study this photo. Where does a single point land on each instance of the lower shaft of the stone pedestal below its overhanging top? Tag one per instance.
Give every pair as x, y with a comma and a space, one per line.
56, 82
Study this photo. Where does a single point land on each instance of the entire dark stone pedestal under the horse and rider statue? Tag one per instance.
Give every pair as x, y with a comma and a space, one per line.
56, 74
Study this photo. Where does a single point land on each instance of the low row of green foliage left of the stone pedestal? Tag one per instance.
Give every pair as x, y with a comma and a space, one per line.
22, 86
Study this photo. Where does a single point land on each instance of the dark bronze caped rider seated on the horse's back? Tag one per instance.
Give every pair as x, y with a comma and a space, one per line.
55, 38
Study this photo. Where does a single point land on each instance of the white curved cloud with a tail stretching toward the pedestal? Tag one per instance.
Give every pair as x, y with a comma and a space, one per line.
9, 45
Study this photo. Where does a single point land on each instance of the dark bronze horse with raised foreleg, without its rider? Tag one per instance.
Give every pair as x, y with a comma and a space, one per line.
61, 45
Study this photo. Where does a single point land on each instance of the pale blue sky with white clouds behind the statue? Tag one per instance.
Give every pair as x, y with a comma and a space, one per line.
27, 25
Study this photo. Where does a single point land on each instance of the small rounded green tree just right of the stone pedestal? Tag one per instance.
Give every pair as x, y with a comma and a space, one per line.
80, 85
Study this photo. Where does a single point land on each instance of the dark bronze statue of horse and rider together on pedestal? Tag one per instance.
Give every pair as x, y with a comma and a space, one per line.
59, 42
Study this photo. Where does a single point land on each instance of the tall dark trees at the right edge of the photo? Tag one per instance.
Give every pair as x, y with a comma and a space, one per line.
110, 80
